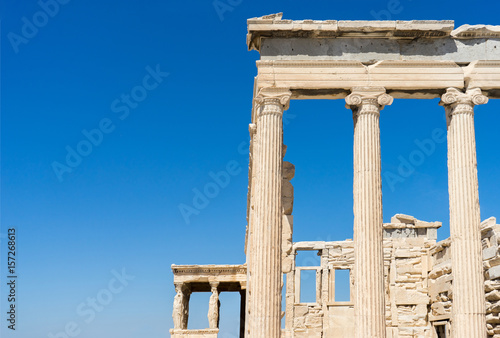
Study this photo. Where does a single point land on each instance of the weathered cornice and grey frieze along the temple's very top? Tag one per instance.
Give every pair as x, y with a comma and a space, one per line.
371, 41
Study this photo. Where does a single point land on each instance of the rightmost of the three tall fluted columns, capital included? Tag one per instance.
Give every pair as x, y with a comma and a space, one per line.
468, 309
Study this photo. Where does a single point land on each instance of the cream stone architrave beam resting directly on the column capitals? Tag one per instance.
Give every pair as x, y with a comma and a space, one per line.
333, 79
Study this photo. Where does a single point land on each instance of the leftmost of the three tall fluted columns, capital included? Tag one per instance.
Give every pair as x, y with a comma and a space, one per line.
265, 305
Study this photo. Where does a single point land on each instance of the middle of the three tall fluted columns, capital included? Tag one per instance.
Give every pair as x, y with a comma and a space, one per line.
369, 297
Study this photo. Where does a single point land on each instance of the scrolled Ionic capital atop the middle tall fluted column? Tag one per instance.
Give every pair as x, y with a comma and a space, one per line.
368, 99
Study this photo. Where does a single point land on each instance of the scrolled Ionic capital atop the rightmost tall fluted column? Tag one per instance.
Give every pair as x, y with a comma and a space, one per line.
456, 101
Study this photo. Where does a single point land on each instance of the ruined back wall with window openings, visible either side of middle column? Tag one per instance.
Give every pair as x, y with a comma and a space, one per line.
407, 245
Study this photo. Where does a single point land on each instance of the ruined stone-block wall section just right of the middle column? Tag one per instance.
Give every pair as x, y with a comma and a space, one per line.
406, 256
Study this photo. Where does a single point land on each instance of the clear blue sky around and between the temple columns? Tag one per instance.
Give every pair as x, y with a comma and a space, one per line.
109, 226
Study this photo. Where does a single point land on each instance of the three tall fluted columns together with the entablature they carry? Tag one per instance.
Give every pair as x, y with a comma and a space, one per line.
368, 64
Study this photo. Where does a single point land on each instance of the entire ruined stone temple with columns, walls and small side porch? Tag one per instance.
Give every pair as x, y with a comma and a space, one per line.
403, 283
